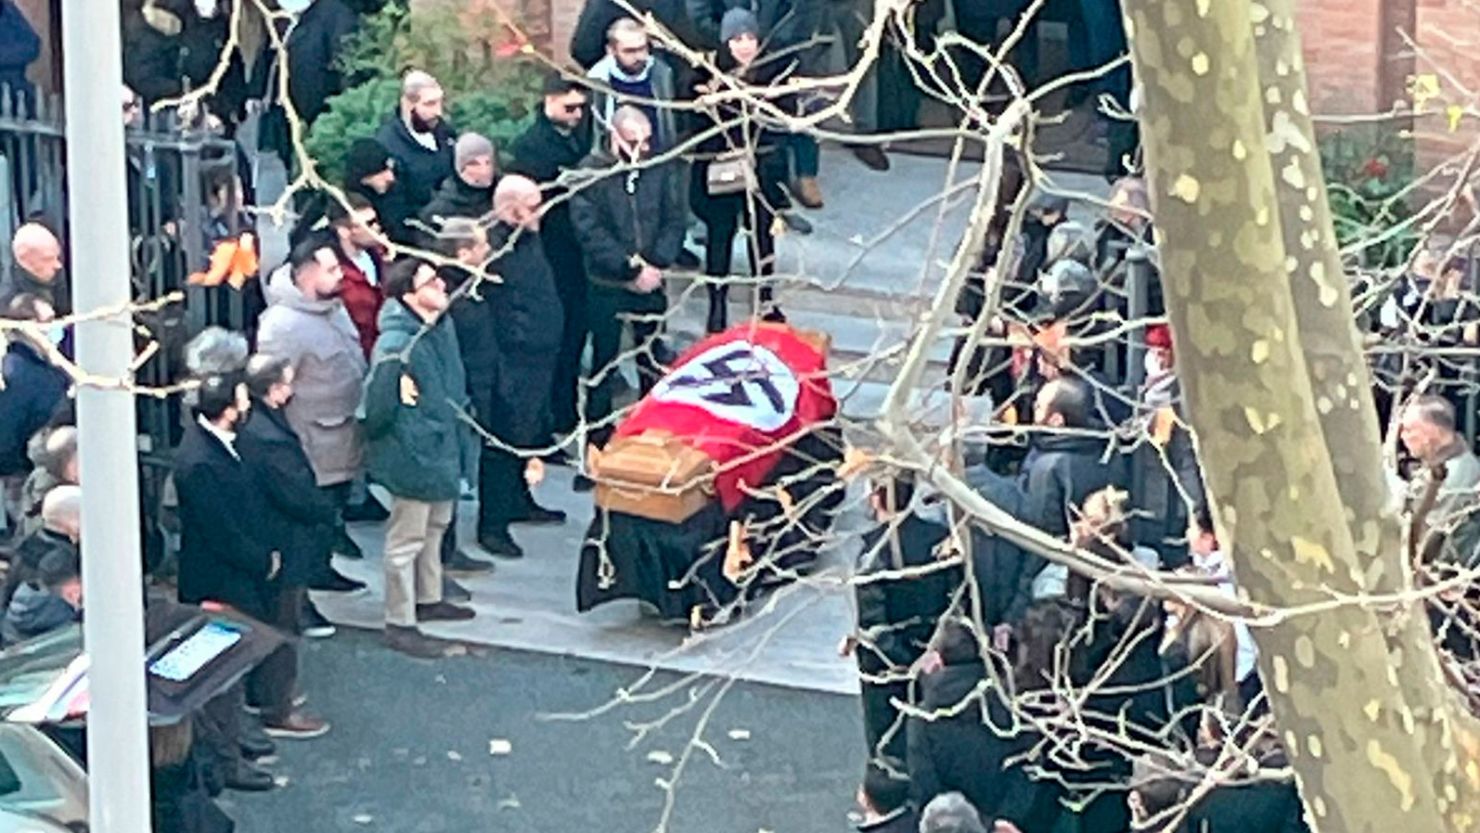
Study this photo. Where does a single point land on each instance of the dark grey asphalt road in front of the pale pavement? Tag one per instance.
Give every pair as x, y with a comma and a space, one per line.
465, 745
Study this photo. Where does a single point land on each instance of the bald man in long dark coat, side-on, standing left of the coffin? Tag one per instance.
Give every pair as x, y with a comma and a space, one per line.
511, 390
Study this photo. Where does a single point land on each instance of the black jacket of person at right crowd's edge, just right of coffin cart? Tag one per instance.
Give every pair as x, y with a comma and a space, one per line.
898, 616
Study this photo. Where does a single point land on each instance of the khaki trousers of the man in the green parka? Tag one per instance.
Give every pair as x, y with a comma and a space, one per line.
414, 566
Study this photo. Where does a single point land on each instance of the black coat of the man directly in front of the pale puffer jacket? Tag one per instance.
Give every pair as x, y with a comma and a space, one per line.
300, 519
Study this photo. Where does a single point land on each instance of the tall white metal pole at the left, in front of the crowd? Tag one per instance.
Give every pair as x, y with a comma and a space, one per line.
98, 257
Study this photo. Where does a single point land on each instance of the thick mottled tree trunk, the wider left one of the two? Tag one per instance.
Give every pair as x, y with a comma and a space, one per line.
1333, 681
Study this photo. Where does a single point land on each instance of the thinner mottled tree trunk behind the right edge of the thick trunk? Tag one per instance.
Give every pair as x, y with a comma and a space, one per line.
1333, 350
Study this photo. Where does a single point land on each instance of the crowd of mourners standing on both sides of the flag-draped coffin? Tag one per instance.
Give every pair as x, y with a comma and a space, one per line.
455, 319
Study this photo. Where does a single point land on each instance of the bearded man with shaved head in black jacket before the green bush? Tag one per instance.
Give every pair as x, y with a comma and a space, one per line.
420, 140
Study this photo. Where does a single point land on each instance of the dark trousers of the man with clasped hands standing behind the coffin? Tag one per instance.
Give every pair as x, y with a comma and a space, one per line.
608, 310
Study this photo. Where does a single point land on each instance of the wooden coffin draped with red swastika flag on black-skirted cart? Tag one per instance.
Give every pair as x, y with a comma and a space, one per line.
736, 449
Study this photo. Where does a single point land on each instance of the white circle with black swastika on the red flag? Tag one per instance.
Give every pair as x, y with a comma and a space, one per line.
736, 382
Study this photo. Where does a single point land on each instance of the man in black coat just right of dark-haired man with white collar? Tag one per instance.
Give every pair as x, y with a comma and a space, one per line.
301, 519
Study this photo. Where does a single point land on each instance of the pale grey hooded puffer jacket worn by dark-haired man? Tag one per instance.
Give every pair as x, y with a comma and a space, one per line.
329, 365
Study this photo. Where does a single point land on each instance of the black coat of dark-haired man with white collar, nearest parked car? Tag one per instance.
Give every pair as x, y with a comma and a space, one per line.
224, 553
